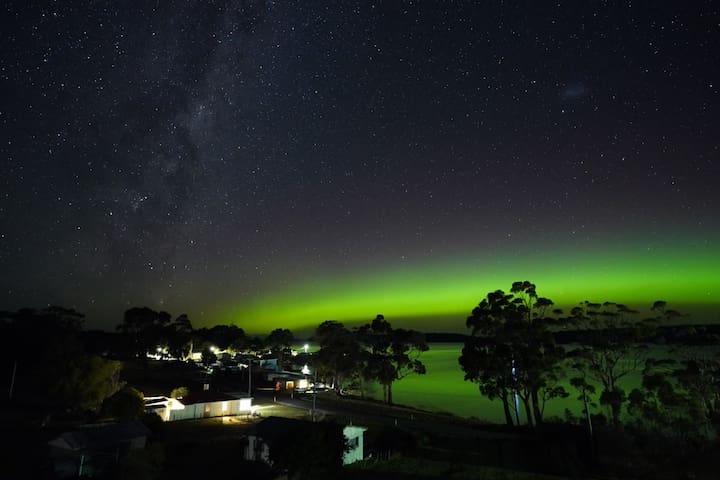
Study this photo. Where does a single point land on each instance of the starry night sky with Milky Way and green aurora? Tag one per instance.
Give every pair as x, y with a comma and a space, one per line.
277, 164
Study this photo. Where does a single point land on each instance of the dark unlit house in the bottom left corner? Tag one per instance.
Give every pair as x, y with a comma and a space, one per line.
91, 449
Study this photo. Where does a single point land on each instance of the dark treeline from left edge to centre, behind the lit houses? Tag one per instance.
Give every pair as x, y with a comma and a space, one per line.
53, 361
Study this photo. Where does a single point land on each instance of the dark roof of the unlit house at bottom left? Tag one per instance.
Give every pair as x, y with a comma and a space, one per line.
99, 436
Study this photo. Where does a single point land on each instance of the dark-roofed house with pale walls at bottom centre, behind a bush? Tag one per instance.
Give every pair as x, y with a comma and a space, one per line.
276, 431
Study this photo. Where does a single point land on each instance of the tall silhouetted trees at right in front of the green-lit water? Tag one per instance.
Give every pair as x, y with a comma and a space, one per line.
521, 349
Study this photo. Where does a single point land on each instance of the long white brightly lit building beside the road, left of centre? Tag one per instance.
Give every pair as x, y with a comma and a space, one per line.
201, 404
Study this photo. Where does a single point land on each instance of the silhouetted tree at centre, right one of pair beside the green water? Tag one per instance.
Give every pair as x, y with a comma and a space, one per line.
392, 354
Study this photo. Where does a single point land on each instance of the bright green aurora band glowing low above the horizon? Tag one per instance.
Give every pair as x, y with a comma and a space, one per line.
682, 275
